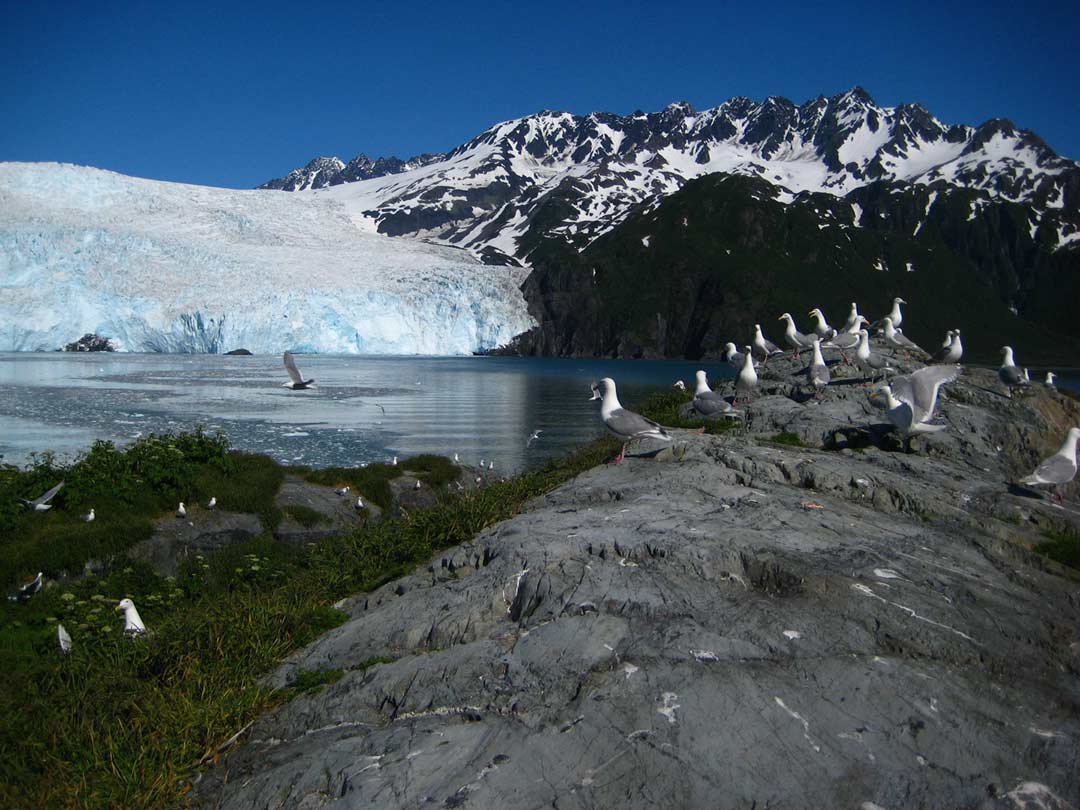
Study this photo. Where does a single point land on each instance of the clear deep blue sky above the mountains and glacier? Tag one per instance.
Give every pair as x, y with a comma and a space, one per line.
238, 94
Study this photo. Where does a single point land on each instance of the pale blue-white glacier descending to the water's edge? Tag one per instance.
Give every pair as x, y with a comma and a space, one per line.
164, 267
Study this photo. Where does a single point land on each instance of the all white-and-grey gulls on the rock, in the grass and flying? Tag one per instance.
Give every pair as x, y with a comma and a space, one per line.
910, 401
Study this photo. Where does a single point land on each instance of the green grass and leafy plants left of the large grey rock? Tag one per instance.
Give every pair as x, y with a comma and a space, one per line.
124, 723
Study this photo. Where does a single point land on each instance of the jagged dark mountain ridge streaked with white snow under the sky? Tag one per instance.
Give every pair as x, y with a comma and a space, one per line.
575, 178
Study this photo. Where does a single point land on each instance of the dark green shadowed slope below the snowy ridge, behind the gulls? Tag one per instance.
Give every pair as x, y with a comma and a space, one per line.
724, 253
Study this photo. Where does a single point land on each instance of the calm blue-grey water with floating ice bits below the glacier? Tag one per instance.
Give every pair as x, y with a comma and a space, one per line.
480, 408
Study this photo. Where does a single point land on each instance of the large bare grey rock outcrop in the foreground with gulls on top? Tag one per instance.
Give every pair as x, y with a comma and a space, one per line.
794, 613
